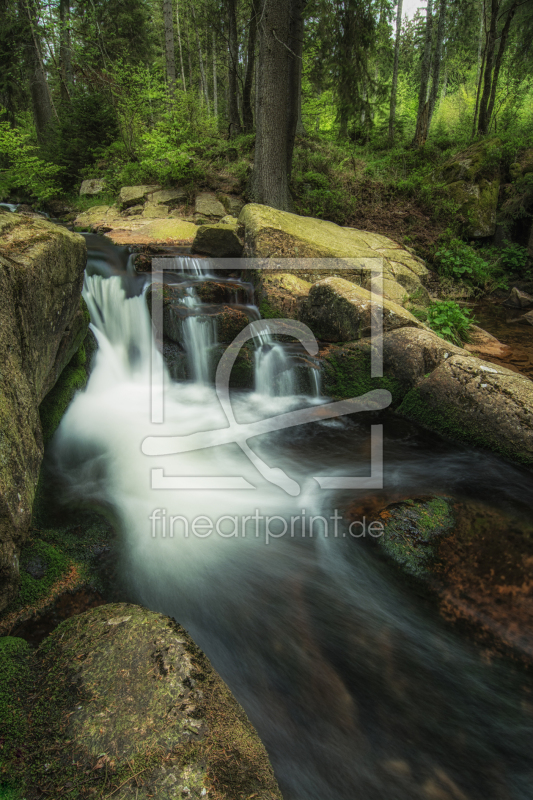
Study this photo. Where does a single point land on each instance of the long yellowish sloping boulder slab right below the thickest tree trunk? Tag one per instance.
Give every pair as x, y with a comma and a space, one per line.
278, 234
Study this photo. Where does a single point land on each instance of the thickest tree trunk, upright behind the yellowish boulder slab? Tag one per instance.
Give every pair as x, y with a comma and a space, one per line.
276, 124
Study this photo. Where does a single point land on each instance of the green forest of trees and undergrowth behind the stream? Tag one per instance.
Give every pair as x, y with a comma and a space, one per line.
165, 91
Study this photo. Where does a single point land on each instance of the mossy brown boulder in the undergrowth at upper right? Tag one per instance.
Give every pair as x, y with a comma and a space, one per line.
473, 181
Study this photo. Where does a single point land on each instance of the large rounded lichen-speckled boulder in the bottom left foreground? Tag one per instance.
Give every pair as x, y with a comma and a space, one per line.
125, 704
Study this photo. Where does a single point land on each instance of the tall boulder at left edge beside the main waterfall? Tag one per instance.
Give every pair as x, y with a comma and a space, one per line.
42, 326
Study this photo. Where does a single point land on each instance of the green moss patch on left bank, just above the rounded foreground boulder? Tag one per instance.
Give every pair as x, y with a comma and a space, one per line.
49, 558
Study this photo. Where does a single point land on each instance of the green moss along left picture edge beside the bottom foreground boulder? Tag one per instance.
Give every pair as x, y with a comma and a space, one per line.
15, 677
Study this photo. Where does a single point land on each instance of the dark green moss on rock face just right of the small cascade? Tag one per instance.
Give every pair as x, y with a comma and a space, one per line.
347, 373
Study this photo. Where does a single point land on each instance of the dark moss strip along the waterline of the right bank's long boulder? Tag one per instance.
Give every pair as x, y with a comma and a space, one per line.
450, 422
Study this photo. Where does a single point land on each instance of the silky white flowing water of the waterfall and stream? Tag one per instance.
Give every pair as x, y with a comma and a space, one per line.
357, 689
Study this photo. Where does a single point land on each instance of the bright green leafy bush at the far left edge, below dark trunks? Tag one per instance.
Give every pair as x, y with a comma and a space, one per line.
22, 169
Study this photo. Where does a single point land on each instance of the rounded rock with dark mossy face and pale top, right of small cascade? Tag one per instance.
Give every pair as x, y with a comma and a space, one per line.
339, 311
